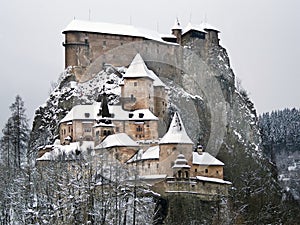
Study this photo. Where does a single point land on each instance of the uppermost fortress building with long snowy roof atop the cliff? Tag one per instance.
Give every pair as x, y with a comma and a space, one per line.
90, 45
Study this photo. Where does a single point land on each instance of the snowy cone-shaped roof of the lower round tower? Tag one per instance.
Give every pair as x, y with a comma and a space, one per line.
176, 133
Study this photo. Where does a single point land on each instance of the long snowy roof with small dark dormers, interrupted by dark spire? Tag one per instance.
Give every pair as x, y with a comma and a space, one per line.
89, 113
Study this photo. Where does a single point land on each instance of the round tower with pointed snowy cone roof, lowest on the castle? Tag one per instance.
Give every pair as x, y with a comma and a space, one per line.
174, 142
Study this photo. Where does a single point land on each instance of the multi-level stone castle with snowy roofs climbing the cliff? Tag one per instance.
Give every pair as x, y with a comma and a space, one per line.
129, 130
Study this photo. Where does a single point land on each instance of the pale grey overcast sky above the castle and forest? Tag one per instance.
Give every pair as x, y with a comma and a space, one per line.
261, 37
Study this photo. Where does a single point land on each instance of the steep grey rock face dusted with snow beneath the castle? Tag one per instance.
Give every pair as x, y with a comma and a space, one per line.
216, 115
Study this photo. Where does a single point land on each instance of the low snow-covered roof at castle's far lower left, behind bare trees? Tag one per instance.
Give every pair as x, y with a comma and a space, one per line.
67, 151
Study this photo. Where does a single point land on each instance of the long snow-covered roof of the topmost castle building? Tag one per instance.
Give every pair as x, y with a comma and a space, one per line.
112, 28
